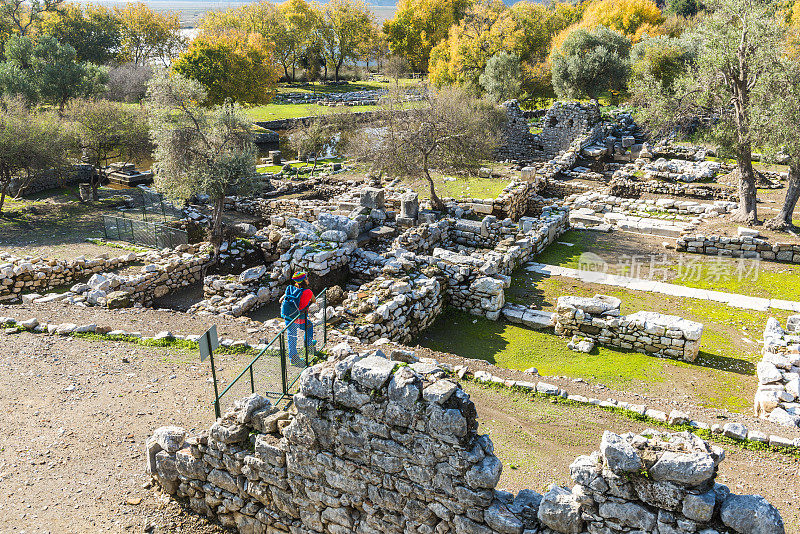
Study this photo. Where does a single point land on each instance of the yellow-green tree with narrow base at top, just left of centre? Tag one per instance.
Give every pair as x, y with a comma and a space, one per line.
345, 25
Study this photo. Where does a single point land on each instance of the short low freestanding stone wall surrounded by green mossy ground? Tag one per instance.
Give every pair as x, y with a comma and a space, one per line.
599, 319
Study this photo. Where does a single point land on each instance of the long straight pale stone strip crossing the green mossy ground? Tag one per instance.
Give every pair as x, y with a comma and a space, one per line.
654, 286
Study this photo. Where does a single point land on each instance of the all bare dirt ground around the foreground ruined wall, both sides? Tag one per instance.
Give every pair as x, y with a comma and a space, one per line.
77, 413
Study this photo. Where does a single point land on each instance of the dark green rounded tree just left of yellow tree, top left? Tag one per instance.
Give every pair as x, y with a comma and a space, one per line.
93, 31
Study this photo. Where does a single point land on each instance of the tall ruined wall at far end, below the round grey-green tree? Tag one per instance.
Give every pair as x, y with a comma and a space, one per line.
566, 121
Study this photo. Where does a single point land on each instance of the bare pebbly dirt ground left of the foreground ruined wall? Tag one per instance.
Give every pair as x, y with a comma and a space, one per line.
75, 418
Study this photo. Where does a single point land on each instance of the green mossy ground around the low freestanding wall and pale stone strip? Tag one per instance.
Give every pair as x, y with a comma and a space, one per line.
722, 376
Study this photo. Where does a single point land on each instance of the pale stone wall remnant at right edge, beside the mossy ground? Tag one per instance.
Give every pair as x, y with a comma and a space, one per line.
778, 395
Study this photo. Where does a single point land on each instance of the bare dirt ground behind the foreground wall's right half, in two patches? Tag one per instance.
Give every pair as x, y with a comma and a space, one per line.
538, 440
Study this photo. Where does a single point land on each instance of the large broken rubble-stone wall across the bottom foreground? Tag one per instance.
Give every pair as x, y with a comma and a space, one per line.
373, 445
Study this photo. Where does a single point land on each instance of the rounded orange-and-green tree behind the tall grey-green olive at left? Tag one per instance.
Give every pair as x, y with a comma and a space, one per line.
234, 66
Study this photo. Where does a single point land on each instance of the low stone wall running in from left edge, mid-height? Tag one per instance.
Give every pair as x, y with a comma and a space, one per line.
32, 275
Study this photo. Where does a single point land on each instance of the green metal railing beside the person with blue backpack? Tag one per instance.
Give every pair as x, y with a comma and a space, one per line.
274, 371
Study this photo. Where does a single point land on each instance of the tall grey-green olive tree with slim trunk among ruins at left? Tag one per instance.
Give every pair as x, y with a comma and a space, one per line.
197, 150
